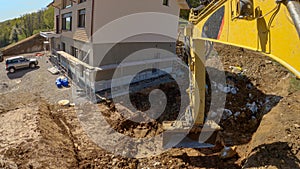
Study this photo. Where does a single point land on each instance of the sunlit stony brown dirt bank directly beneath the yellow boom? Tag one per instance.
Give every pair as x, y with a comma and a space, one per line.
264, 73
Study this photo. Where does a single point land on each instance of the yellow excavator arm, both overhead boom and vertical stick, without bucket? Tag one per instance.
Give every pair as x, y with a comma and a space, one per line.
267, 29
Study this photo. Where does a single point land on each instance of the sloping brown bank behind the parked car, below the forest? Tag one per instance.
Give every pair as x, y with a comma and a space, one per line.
32, 44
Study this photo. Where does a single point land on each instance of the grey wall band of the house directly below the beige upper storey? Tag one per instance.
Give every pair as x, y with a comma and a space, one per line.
107, 54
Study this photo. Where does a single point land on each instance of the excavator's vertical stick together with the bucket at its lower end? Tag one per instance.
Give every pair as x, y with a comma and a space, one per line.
184, 133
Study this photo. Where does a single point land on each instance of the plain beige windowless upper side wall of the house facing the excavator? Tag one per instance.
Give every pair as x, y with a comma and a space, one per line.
114, 17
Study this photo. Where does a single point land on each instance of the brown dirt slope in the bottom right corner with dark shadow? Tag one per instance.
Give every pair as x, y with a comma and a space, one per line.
277, 140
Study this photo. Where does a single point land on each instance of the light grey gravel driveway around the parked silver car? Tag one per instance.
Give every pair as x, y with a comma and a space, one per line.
31, 83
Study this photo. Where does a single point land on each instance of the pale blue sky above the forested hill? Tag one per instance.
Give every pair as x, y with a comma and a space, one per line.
10, 9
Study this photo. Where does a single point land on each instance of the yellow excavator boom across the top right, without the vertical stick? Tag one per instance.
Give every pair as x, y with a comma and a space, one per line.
270, 30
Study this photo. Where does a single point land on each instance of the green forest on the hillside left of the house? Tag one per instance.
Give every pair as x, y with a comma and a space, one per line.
14, 30
